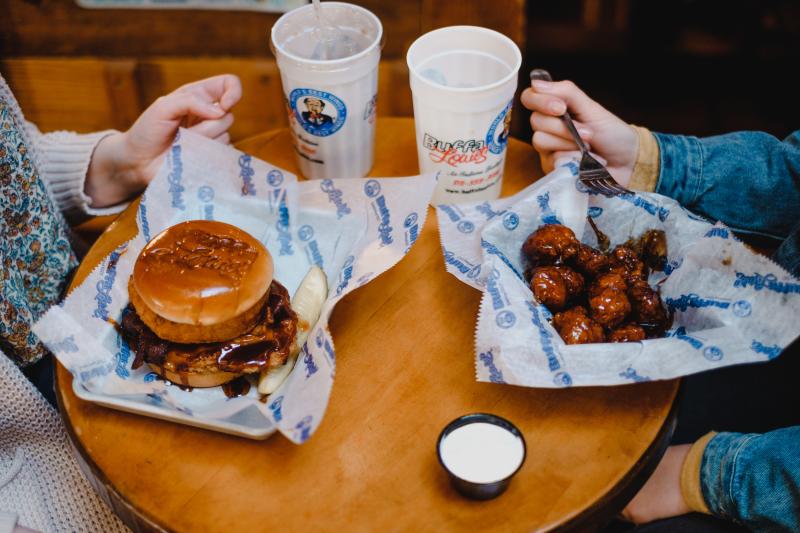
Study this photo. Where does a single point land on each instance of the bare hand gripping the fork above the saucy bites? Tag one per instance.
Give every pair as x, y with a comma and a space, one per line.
607, 136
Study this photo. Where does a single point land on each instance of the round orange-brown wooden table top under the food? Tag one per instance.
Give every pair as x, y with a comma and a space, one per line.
372, 464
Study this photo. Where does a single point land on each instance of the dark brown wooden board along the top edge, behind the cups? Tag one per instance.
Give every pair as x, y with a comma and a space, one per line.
60, 27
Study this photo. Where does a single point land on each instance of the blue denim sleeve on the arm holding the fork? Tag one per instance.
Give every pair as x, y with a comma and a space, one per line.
748, 180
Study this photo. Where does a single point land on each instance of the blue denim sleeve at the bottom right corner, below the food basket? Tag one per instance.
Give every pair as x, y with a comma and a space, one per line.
754, 479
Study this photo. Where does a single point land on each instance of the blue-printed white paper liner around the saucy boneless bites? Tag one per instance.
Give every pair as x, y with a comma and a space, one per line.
731, 306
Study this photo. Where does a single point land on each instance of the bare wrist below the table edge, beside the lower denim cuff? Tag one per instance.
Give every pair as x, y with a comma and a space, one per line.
661, 495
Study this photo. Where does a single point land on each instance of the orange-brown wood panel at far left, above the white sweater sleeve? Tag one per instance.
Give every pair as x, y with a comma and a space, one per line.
74, 94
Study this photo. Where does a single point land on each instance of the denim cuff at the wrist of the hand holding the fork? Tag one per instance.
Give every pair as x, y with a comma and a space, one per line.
680, 167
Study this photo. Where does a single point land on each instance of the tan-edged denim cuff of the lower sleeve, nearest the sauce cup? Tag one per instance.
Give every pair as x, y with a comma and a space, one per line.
718, 472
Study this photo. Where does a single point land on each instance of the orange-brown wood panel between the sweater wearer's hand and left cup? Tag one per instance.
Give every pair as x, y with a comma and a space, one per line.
261, 107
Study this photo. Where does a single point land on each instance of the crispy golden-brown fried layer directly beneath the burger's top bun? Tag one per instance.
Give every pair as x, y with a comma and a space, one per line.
195, 333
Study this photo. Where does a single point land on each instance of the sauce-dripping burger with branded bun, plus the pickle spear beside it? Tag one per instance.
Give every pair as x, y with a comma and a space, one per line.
205, 309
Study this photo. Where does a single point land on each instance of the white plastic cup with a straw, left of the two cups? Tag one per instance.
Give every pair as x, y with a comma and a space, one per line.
330, 97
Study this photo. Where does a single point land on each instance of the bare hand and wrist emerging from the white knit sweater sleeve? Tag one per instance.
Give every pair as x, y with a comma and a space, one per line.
123, 164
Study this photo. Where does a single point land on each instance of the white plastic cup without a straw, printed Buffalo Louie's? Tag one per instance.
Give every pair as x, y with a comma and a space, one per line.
463, 80
